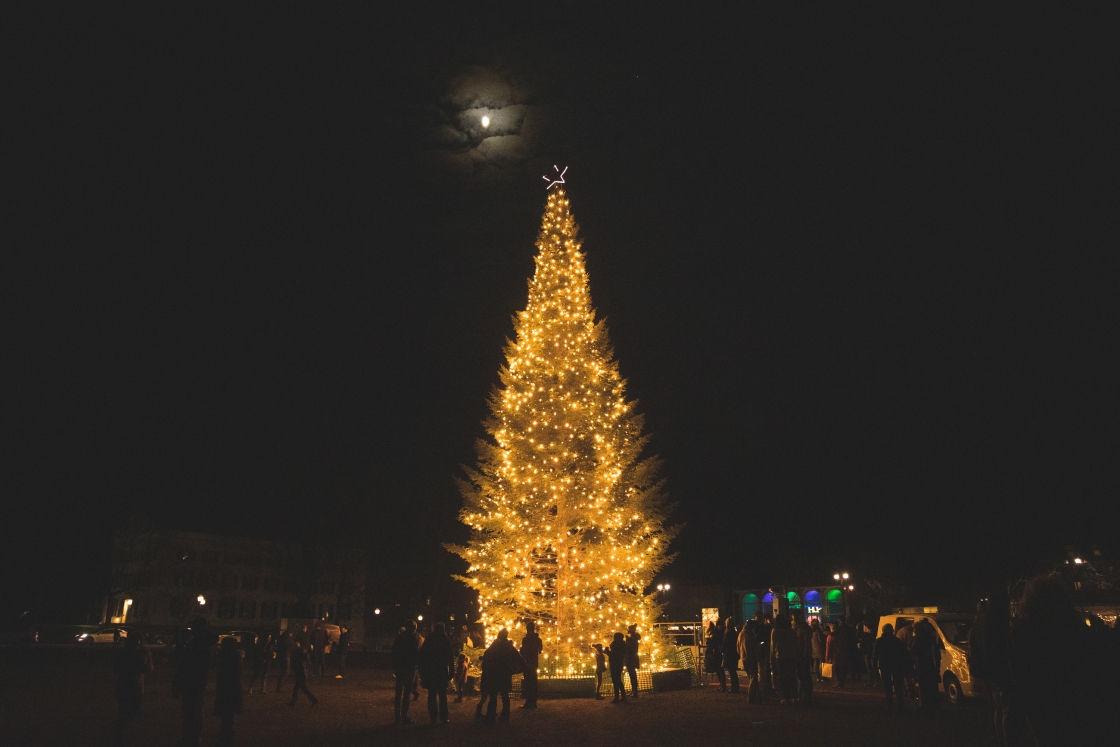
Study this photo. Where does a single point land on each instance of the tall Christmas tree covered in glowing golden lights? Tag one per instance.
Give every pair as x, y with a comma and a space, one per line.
567, 520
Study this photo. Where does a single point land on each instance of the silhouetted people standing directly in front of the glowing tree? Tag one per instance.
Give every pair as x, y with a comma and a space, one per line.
435, 660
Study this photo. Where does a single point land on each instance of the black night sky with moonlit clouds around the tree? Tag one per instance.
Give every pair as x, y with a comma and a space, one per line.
858, 267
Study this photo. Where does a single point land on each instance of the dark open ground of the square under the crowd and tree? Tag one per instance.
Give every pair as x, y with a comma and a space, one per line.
64, 696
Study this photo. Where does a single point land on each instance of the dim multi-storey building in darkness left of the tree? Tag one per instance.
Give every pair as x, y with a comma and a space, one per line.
164, 580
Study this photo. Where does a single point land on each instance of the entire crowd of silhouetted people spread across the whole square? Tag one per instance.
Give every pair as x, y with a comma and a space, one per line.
1049, 678
